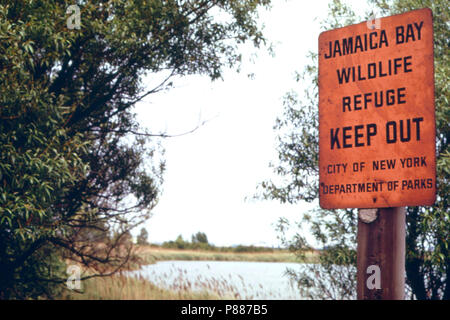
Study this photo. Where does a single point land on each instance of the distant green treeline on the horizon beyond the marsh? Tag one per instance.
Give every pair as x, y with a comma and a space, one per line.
200, 242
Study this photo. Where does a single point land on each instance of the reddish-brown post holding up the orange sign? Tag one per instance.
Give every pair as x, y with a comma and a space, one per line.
381, 254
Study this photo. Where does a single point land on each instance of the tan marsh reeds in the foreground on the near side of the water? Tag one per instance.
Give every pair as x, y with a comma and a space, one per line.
172, 285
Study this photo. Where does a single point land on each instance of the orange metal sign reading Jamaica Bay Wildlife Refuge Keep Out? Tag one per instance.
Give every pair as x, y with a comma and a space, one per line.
377, 114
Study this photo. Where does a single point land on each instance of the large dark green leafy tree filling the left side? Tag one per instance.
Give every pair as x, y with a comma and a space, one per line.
72, 155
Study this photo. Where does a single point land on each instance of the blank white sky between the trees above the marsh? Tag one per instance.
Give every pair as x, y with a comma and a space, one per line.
210, 172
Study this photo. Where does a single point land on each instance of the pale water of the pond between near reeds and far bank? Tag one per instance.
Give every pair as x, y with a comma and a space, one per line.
237, 279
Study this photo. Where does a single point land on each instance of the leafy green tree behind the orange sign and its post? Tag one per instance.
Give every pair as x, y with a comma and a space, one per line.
427, 238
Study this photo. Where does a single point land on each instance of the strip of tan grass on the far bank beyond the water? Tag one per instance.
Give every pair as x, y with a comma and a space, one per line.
151, 254
